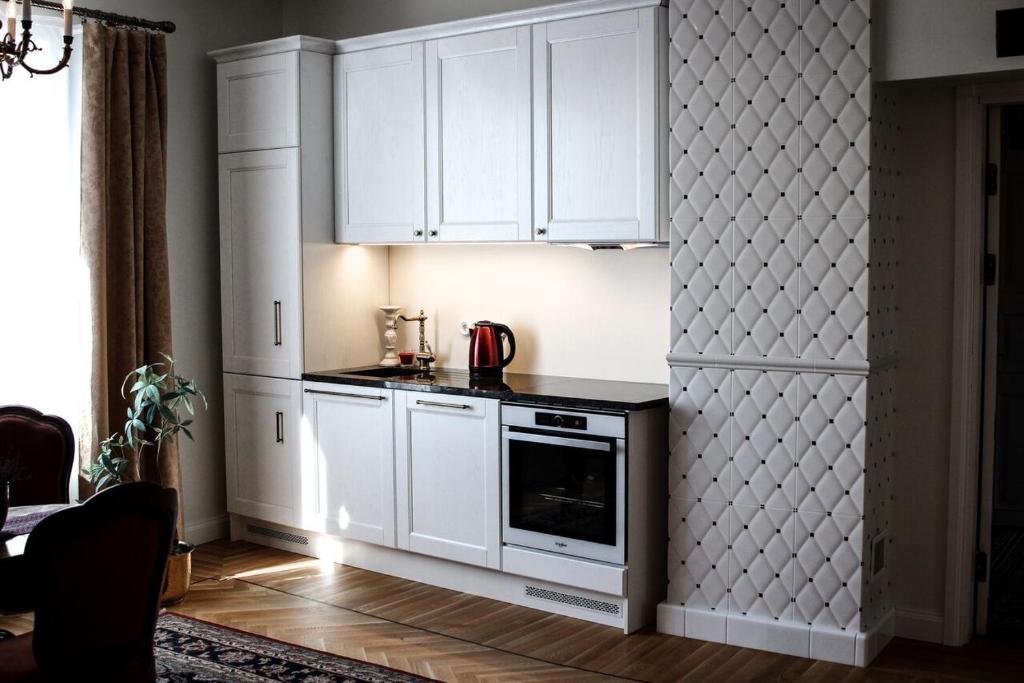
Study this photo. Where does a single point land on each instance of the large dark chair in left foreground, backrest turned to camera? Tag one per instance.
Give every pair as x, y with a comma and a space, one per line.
96, 574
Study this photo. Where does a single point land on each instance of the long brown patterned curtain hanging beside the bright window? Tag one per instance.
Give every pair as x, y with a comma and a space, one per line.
124, 227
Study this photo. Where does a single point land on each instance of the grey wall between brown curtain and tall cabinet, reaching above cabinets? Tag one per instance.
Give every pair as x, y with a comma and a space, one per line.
192, 217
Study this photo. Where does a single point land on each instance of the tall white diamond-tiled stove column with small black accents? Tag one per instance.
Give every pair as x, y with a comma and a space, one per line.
783, 275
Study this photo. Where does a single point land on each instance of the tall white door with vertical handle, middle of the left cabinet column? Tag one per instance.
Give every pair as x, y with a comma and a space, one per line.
261, 264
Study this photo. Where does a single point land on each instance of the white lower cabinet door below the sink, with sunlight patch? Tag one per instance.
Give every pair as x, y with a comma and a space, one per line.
352, 460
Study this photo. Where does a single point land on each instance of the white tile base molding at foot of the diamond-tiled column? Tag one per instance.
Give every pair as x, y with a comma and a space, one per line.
849, 648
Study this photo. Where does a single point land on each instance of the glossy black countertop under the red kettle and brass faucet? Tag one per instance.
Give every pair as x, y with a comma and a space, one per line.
539, 390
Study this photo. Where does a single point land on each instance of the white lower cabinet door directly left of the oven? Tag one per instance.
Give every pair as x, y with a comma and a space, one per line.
449, 477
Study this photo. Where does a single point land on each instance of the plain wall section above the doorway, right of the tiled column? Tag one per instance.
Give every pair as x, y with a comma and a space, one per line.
926, 38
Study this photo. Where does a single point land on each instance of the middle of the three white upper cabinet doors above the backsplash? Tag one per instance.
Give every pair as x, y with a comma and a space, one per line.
479, 138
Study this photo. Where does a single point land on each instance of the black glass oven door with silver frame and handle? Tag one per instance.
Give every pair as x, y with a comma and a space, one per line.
565, 490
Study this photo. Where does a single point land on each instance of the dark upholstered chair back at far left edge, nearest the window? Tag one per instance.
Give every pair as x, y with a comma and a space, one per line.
45, 447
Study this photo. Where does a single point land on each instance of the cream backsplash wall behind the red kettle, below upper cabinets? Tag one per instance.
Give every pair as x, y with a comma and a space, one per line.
575, 313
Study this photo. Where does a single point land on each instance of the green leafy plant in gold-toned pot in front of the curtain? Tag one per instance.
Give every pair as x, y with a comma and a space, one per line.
162, 406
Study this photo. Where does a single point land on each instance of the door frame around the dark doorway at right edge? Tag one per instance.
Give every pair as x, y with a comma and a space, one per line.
968, 353
